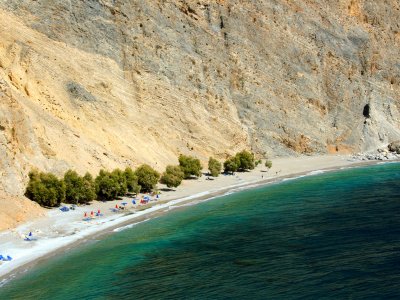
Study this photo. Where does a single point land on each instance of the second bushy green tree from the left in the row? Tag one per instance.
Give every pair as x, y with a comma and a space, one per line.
78, 189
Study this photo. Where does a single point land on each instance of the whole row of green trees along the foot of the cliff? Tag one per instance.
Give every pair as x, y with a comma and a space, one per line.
48, 190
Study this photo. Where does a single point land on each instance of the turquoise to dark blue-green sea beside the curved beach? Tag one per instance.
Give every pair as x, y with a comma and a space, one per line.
329, 236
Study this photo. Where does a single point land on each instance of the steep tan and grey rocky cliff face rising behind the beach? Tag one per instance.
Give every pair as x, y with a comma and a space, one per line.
103, 84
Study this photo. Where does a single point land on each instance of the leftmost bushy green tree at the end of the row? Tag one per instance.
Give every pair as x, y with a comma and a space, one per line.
45, 189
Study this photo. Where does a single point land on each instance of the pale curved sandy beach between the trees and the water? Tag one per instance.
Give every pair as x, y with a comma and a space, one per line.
58, 231
